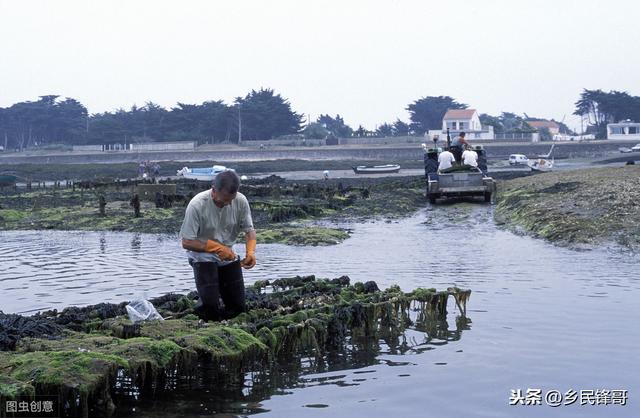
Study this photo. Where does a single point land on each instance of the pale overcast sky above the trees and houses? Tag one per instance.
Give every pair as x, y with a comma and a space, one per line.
366, 60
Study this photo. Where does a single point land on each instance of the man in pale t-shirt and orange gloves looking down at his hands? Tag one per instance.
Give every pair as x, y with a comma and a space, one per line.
212, 221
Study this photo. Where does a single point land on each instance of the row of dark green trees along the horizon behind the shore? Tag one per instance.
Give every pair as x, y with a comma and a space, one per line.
261, 115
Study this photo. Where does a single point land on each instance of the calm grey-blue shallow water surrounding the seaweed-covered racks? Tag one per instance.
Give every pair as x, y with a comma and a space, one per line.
542, 316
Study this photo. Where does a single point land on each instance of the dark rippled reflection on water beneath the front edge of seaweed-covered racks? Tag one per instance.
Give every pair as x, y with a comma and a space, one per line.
207, 391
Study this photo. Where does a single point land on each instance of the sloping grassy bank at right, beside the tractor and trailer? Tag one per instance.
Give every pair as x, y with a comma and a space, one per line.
580, 207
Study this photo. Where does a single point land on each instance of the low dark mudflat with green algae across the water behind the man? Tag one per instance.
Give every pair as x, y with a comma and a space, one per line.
289, 212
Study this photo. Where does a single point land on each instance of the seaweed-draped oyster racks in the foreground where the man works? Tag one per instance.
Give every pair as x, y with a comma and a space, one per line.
89, 355
